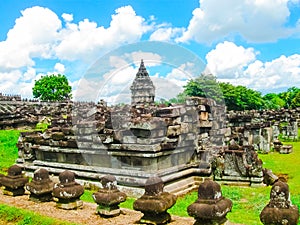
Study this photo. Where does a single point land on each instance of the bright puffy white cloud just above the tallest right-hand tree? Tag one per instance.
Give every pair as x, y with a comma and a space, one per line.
228, 59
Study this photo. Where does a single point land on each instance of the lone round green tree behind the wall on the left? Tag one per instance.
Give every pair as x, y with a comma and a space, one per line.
52, 88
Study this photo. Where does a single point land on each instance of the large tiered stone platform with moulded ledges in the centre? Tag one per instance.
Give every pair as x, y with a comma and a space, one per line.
131, 139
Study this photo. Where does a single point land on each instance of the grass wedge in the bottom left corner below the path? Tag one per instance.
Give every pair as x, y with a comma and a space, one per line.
13, 215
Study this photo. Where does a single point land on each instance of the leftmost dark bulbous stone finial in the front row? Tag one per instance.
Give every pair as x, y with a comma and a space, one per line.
14, 182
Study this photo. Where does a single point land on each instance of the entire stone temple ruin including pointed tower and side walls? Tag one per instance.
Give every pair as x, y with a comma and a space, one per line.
182, 144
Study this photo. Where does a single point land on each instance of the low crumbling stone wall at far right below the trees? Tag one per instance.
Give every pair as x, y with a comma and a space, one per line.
260, 128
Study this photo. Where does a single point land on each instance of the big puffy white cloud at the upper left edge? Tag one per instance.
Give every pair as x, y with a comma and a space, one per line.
32, 36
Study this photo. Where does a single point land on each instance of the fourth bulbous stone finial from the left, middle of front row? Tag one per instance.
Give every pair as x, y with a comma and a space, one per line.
109, 197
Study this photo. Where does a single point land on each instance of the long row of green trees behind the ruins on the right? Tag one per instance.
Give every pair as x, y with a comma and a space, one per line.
239, 97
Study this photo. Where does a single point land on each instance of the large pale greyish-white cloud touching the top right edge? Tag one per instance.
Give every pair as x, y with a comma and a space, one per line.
256, 21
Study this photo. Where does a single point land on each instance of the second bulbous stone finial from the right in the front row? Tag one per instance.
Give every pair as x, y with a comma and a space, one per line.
211, 207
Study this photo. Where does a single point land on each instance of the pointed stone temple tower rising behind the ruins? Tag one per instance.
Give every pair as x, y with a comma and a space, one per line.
142, 88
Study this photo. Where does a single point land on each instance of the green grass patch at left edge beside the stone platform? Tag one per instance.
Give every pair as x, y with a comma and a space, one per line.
8, 148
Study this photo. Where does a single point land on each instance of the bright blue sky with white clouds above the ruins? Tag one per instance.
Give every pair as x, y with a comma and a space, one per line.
251, 43
